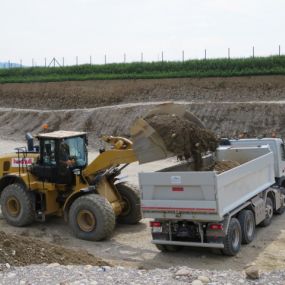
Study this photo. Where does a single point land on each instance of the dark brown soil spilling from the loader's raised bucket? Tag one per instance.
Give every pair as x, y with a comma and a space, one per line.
183, 138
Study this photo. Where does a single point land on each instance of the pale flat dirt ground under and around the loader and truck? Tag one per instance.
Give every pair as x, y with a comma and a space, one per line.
131, 245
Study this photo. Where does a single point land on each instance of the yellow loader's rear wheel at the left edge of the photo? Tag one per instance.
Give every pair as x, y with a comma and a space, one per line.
17, 205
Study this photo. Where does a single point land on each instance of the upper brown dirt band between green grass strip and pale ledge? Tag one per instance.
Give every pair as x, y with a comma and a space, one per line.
92, 94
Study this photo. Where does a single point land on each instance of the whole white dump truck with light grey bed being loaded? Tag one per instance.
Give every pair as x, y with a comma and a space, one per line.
216, 210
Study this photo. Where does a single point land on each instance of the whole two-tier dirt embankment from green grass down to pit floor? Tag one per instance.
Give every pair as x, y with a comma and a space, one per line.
227, 106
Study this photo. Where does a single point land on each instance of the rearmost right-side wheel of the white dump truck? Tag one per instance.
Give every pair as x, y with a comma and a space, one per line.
232, 241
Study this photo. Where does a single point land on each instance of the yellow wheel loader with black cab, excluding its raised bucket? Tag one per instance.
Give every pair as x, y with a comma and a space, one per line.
54, 178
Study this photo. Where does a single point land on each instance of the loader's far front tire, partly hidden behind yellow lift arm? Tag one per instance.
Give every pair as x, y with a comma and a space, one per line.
132, 212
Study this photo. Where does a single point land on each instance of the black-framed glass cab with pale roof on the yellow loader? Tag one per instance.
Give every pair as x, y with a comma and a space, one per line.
61, 152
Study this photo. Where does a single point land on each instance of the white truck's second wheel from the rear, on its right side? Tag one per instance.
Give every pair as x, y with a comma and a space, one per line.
247, 224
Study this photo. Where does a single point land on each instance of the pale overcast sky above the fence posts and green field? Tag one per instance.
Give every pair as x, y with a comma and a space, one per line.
56, 28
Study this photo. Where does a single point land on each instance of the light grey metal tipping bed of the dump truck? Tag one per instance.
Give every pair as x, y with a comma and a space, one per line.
207, 195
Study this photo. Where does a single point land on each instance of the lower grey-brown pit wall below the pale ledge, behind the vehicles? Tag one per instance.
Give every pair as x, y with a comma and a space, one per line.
224, 118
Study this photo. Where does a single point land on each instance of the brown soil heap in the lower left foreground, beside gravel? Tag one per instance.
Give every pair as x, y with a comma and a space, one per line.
21, 251
